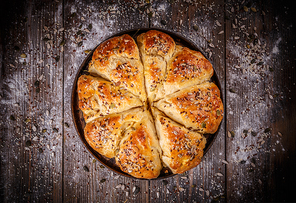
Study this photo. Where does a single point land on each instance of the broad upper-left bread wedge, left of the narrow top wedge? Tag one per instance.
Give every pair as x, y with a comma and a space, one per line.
118, 61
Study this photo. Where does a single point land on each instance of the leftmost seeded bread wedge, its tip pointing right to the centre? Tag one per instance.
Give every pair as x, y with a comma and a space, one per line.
98, 97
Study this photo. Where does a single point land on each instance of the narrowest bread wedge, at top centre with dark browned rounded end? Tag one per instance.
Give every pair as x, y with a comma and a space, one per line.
156, 49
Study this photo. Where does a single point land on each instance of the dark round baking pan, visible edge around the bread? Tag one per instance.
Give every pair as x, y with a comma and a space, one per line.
77, 114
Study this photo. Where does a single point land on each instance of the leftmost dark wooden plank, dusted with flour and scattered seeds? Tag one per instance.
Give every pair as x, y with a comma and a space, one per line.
31, 158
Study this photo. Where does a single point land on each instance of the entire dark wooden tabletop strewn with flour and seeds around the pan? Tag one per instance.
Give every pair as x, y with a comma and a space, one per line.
252, 47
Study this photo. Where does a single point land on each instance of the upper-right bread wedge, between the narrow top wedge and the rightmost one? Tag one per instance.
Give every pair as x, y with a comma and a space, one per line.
186, 68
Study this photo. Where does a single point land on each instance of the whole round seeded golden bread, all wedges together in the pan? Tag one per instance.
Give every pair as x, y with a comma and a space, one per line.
176, 82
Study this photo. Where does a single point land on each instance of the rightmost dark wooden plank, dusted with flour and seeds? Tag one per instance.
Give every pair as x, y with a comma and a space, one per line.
259, 103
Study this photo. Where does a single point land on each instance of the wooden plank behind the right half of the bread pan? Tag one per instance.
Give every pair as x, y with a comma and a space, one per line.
198, 23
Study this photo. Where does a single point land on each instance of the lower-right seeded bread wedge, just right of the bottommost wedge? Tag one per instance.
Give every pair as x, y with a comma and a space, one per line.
182, 149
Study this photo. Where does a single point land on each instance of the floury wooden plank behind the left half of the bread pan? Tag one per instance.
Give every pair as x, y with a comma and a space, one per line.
99, 184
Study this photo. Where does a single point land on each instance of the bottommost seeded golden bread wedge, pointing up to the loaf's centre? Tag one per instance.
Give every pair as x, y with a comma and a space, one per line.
139, 151
